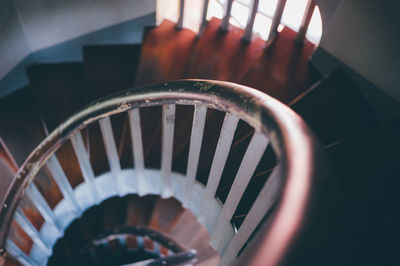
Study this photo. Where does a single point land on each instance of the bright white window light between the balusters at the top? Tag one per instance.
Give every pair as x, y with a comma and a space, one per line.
292, 15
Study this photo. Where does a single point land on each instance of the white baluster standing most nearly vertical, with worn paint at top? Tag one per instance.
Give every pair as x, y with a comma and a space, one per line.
168, 123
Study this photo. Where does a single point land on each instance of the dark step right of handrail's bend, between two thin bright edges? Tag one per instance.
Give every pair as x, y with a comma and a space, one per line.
334, 108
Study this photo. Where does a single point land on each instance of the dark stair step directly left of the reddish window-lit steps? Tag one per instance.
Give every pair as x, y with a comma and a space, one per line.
109, 69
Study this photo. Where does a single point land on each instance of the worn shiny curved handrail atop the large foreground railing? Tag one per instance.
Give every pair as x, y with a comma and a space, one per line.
291, 139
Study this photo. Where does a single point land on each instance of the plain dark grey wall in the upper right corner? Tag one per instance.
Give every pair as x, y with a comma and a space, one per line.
365, 35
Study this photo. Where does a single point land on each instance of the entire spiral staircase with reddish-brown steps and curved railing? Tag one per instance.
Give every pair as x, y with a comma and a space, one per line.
100, 168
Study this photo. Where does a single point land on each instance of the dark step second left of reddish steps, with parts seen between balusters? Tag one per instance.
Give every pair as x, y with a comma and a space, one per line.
58, 92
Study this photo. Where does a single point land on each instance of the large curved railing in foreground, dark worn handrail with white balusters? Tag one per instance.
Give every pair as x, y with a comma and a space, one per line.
280, 205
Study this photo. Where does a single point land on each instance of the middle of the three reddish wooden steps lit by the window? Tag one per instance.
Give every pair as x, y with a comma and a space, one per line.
223, 55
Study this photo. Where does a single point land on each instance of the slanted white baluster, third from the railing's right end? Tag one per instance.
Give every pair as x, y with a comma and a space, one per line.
219, 161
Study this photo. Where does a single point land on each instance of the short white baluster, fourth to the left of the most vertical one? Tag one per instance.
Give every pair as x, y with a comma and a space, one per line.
65, 187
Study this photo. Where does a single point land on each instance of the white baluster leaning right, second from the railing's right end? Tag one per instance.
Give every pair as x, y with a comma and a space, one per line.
251, 158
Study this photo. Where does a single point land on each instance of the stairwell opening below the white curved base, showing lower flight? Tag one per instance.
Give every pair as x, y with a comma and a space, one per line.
125, 230
